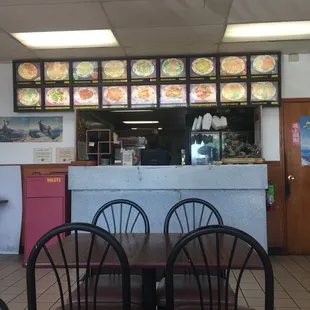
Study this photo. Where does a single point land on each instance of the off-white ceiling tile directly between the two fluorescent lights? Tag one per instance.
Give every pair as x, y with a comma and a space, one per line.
170, 35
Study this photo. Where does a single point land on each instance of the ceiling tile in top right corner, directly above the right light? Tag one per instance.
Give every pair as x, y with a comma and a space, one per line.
248, 11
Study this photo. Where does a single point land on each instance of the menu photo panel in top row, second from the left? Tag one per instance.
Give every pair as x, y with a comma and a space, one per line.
56, 72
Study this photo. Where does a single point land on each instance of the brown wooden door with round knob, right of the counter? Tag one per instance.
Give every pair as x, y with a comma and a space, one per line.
297, 178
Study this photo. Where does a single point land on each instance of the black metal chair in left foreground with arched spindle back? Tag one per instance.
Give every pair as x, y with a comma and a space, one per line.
72, 258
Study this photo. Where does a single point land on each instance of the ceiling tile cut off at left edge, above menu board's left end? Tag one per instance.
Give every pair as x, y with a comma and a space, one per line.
10, 49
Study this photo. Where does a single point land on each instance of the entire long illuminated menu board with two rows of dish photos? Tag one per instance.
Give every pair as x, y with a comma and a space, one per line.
194, 81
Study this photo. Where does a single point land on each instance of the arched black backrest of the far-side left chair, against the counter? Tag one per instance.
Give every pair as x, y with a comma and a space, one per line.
122, 216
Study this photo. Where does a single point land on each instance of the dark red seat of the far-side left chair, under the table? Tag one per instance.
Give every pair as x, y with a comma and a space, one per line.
109, 289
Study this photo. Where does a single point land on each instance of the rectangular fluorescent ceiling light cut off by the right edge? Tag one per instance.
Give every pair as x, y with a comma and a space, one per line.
267, 32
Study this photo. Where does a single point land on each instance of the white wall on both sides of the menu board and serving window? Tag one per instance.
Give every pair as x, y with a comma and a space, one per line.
295, 84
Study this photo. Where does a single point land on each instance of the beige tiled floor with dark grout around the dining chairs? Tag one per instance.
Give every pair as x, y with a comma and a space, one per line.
292, 285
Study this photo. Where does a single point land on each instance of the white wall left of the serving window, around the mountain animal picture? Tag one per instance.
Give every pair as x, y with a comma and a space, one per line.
22, 153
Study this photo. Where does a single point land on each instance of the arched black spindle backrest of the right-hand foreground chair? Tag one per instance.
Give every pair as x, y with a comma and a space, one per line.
217, 249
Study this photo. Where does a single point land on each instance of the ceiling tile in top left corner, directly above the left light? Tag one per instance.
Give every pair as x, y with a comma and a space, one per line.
77, 16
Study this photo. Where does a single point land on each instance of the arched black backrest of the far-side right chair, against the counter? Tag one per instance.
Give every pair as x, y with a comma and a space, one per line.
191, 213
